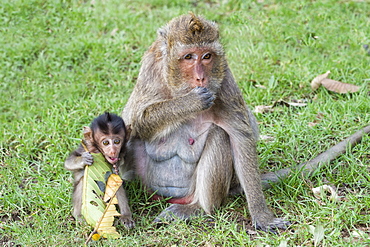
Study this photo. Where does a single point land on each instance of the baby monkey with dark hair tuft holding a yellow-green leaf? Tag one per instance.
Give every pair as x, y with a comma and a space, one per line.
108, 135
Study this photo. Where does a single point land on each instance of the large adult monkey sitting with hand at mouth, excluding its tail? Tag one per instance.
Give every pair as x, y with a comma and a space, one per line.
193, 137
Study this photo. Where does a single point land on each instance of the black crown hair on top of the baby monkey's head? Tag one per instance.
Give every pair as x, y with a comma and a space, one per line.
108, 123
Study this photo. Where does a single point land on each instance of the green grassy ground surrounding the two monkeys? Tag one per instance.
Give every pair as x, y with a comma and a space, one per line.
64, 62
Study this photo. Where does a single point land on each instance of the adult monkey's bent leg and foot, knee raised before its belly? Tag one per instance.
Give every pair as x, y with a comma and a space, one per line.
211, 179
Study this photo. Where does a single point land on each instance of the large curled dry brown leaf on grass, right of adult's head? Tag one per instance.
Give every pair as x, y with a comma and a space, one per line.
332, 85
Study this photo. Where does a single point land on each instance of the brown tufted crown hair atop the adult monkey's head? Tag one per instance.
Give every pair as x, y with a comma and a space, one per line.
189, 29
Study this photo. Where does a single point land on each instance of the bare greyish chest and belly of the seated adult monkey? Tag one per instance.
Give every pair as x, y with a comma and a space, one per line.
172, 161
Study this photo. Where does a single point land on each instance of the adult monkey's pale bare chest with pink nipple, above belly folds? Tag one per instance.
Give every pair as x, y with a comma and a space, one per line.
186, 143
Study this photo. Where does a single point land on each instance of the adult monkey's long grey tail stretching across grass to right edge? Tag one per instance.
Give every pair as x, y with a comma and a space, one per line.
308, 167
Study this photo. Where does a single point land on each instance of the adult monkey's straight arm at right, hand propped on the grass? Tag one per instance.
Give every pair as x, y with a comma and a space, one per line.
235, 118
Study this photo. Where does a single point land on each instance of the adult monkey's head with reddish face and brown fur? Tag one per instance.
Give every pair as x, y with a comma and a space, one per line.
193, 54
